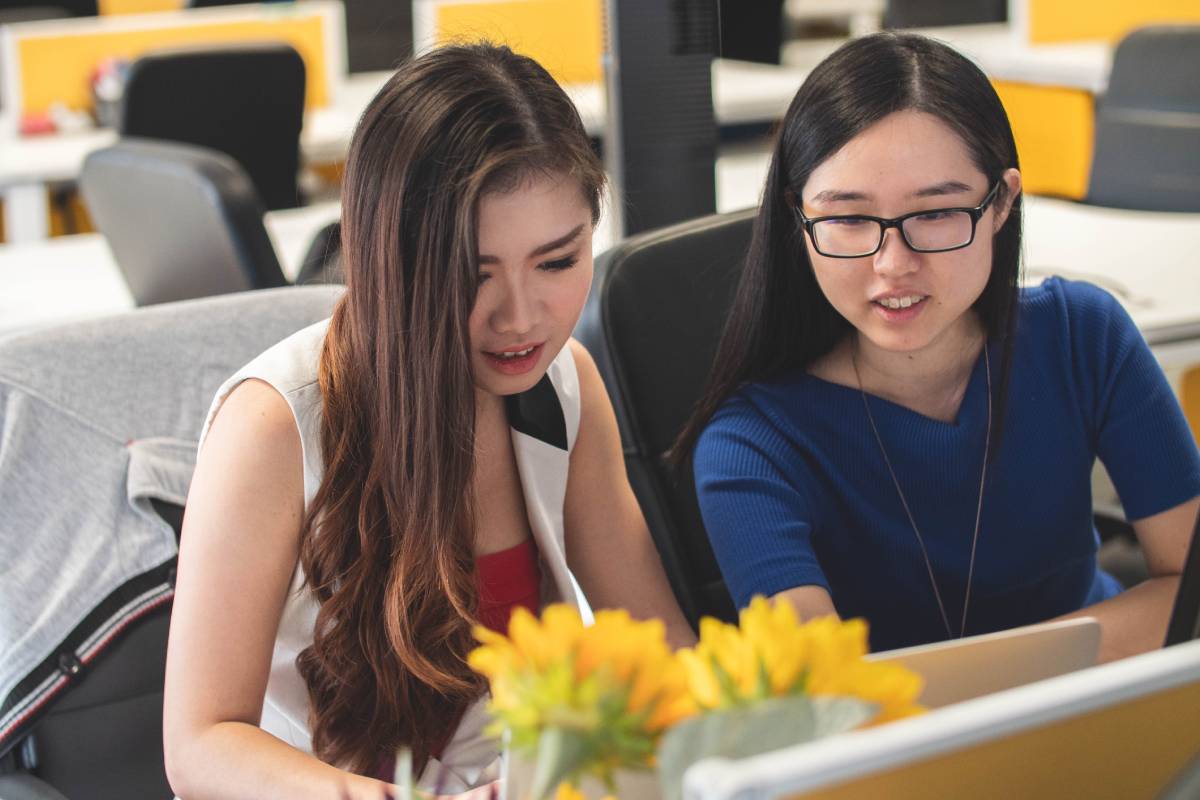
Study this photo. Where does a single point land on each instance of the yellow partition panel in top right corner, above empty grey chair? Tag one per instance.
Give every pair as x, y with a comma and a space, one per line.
1066, 21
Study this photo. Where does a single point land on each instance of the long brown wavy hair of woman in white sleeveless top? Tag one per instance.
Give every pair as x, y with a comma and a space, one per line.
388, 540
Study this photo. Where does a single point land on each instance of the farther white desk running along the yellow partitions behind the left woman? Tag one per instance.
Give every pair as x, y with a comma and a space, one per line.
742, 93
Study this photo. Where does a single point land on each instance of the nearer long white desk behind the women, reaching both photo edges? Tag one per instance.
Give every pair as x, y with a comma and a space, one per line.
1147, 260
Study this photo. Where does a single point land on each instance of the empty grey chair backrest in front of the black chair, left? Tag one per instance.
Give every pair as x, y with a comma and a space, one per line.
183, 221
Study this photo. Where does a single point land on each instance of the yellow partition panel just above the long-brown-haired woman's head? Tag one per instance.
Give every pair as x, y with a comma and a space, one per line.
566, 37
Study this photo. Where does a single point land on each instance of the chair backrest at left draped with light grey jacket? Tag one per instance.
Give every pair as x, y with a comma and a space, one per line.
101, 420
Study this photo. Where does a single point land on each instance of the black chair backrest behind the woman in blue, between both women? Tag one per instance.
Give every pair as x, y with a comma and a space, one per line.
653, 323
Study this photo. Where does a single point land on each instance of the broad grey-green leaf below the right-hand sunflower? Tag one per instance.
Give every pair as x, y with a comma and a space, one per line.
754, 730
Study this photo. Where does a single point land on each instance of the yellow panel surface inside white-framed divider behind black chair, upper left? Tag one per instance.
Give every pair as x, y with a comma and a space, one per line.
56, 68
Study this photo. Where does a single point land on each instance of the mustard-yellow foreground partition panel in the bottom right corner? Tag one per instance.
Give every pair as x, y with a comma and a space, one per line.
1131, 750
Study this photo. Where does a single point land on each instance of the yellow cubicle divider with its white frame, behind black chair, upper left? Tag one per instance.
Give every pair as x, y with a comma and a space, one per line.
55, 61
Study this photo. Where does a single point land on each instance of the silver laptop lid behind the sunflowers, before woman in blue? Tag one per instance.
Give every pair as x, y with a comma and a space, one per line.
962, 670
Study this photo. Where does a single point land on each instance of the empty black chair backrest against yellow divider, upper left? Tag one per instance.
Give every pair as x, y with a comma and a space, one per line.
247, 101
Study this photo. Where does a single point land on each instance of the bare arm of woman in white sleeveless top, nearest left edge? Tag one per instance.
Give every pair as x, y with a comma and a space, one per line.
238, 555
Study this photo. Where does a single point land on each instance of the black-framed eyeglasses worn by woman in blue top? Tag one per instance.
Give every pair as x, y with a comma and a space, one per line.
857, 236
